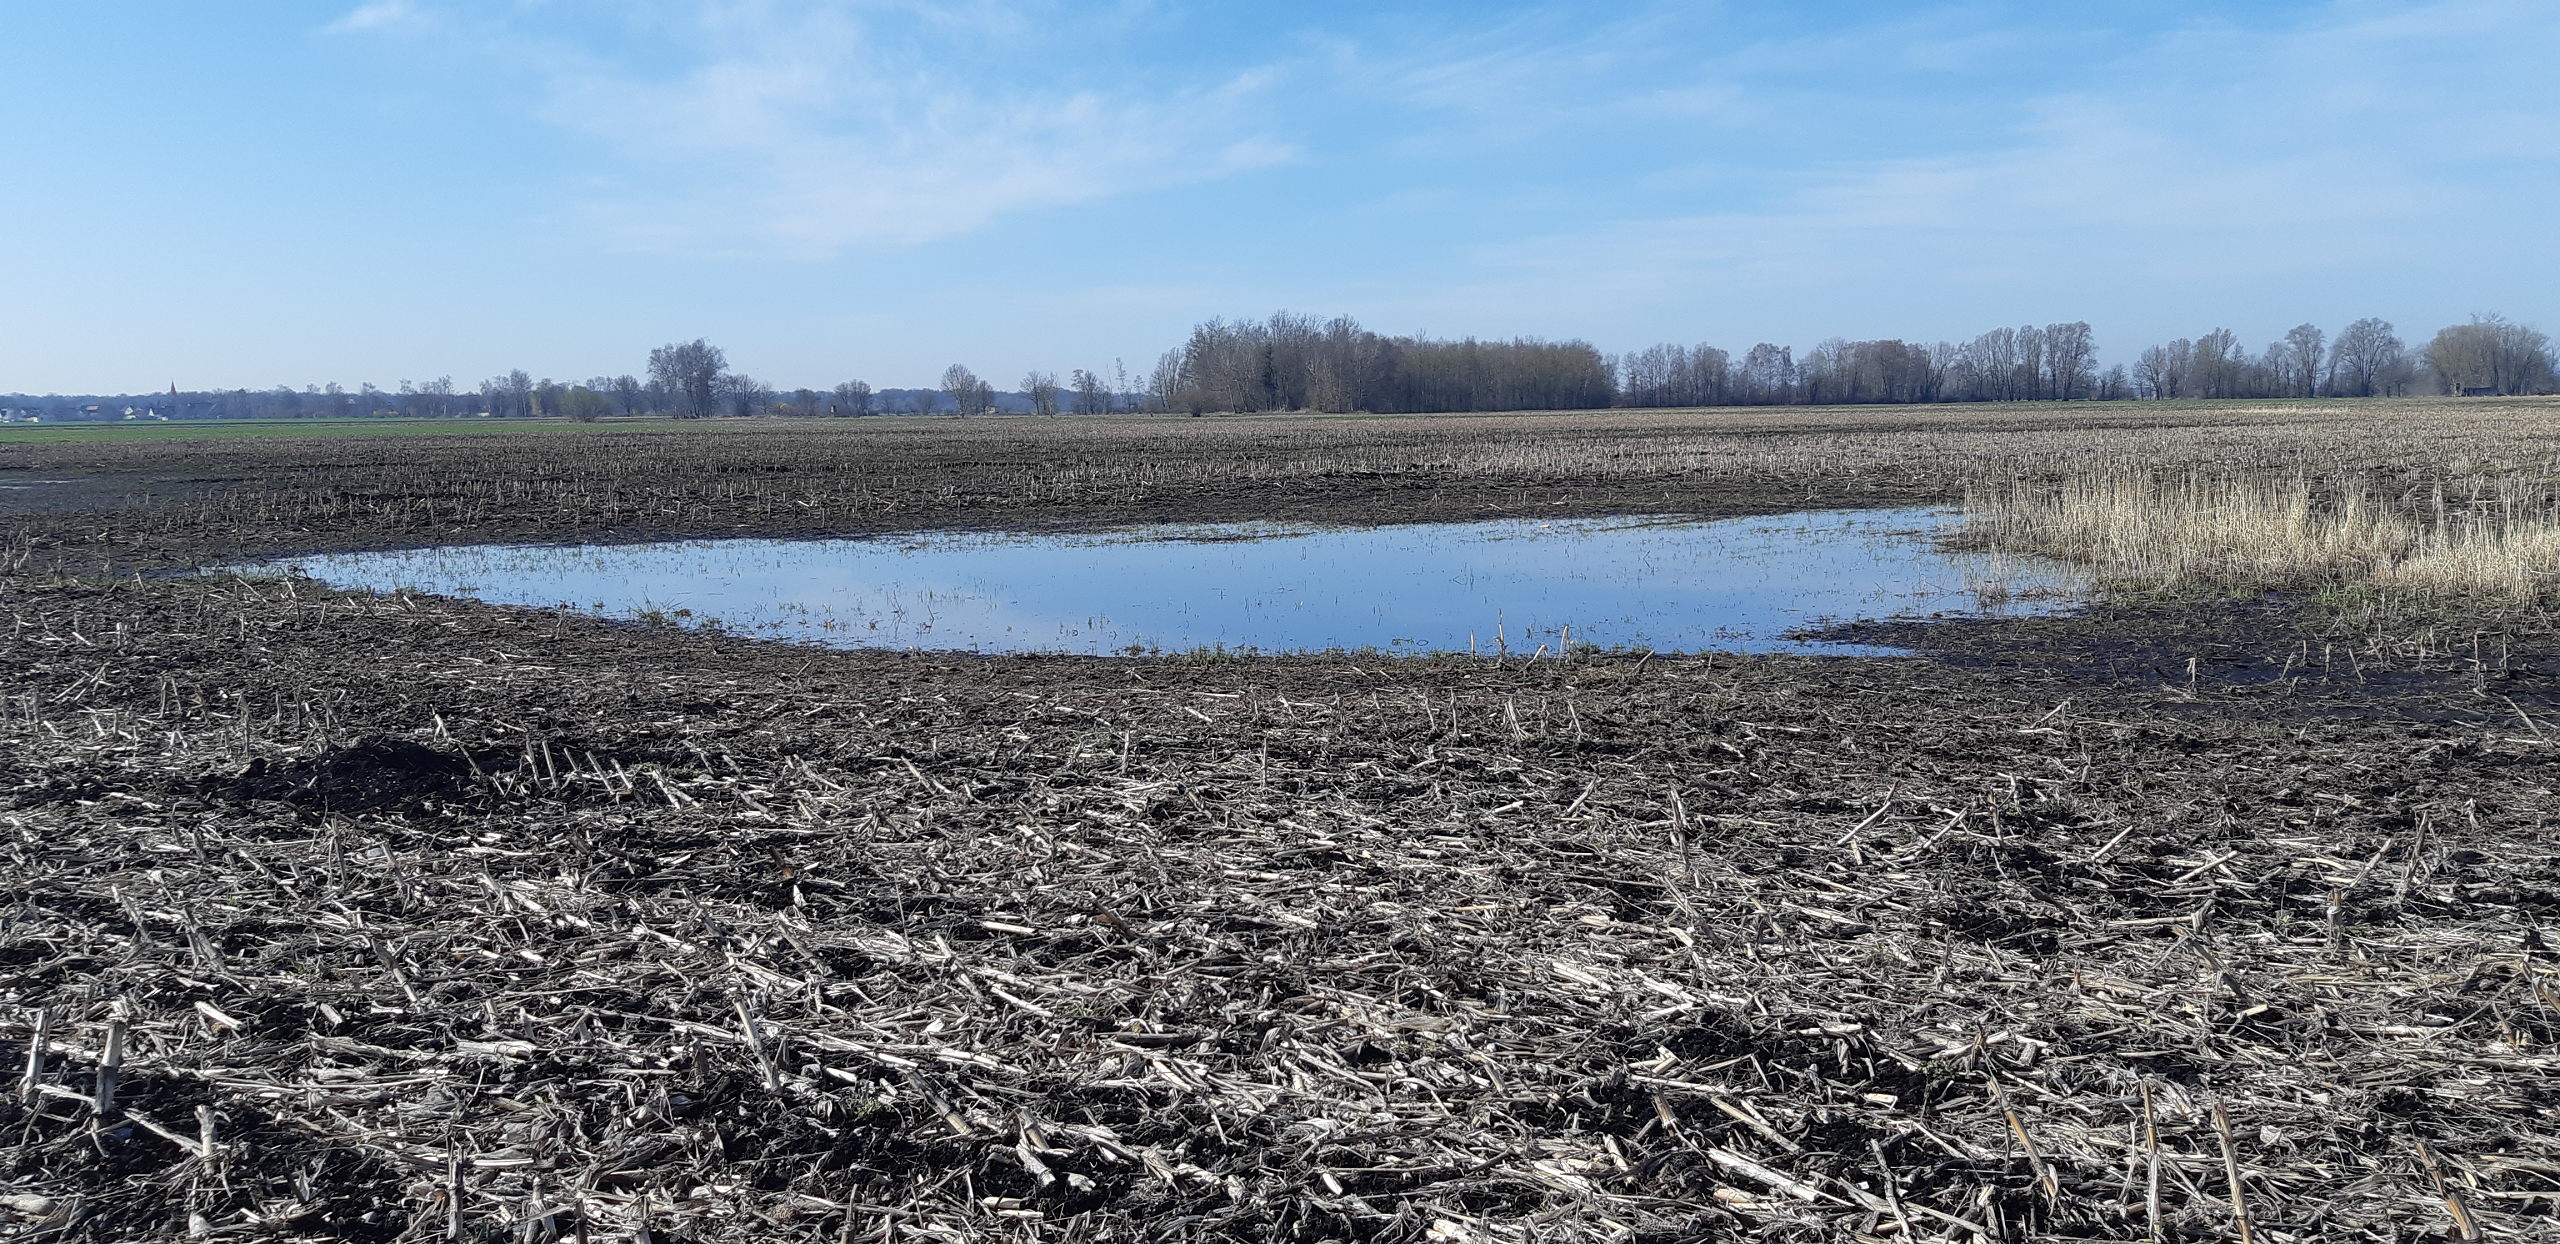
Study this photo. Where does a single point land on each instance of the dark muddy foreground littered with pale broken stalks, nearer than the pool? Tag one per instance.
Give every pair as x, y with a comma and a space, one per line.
429, 920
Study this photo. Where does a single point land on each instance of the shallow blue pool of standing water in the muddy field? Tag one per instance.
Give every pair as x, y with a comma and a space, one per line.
1663, 585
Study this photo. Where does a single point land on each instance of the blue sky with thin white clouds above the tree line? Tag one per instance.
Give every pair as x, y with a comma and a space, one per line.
298, 193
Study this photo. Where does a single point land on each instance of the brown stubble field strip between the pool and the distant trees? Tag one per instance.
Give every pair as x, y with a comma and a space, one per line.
170, 498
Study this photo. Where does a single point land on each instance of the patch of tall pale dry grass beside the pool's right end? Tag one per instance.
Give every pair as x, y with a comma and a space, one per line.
2474, 539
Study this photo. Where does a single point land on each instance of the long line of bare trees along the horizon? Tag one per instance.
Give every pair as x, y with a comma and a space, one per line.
1299, 362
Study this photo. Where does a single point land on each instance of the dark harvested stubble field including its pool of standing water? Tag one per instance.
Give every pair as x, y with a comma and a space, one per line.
424, 915
